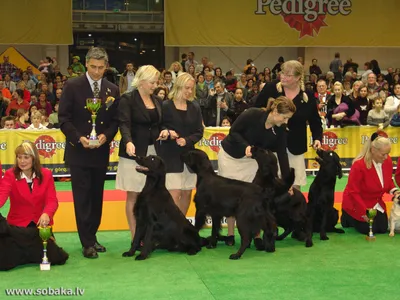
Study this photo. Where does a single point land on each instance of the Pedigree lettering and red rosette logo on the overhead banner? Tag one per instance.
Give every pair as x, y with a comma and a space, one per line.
305, 16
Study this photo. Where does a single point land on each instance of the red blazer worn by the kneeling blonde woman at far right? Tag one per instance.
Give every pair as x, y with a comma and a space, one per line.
364, 189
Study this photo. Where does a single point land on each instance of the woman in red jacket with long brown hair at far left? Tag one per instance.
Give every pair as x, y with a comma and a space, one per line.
31, 190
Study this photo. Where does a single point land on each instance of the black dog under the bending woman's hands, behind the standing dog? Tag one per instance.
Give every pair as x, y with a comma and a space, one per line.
290, 211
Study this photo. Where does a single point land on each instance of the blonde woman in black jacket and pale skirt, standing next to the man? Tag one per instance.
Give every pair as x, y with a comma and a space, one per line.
139, 114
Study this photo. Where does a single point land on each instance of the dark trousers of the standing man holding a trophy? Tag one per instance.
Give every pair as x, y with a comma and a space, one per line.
87, 189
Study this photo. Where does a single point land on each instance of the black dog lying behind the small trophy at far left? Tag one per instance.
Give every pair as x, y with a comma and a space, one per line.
23, 245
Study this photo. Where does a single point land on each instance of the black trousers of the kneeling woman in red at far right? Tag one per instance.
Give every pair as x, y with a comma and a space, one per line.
379, 225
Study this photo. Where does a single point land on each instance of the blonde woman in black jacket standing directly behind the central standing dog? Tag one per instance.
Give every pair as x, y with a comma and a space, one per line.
182, 128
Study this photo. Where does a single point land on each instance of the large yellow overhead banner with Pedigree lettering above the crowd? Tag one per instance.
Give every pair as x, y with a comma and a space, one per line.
276, 23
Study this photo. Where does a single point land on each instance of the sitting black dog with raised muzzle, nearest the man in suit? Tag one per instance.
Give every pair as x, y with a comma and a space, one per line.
159, 222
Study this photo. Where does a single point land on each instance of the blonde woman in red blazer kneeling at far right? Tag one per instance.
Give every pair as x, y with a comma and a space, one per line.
370, 177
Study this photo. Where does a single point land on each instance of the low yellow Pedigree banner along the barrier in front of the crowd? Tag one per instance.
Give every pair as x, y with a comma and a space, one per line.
346, 142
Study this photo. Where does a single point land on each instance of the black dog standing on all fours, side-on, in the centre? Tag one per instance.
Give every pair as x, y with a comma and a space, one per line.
218, 197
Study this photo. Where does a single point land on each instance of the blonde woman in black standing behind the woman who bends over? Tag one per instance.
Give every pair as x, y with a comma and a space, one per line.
291, 85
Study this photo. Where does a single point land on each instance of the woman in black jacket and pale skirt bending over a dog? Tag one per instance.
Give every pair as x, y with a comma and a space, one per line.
255, 127
